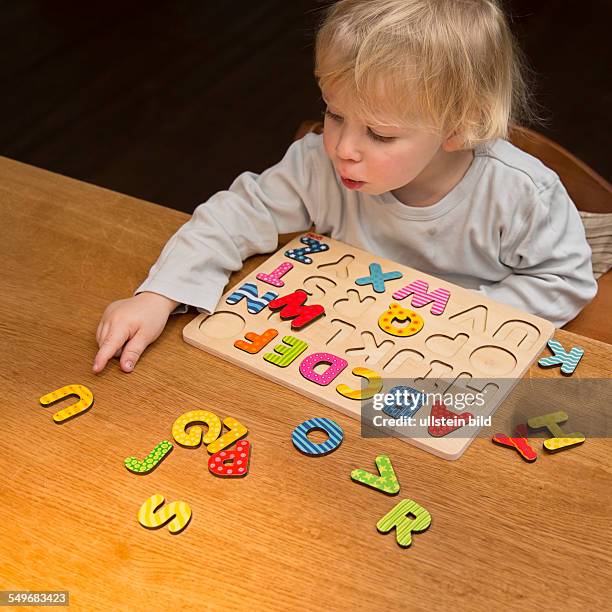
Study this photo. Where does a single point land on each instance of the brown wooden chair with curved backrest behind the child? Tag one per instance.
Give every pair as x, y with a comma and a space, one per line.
589, 191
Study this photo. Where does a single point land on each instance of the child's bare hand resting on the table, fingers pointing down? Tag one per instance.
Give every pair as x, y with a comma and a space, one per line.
128, 326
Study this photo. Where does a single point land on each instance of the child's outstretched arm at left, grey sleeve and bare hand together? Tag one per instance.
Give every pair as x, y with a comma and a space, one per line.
195, 264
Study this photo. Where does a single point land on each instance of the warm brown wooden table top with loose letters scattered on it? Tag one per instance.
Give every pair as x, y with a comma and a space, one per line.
297, 532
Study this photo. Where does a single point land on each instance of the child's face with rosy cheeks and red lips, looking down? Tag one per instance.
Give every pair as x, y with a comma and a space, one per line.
376, 158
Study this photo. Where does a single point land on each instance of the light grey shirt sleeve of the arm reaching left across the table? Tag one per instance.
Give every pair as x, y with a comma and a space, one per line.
232, 225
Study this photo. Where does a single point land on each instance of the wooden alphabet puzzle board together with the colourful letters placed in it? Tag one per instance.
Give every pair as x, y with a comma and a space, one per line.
341, 325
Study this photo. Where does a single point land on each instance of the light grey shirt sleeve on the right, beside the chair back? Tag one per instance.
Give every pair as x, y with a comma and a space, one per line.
549, 260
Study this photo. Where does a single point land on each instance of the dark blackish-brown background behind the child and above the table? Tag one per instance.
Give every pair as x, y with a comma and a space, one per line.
170, 101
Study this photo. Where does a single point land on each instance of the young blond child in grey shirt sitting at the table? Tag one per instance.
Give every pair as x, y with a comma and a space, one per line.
412, 166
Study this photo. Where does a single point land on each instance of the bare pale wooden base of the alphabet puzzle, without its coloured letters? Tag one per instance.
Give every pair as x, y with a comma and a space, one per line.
475, 344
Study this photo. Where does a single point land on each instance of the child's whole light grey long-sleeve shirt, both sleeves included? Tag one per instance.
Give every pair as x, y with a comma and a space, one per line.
508, 229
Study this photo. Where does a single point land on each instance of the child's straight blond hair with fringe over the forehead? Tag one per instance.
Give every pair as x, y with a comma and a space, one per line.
452, 64
